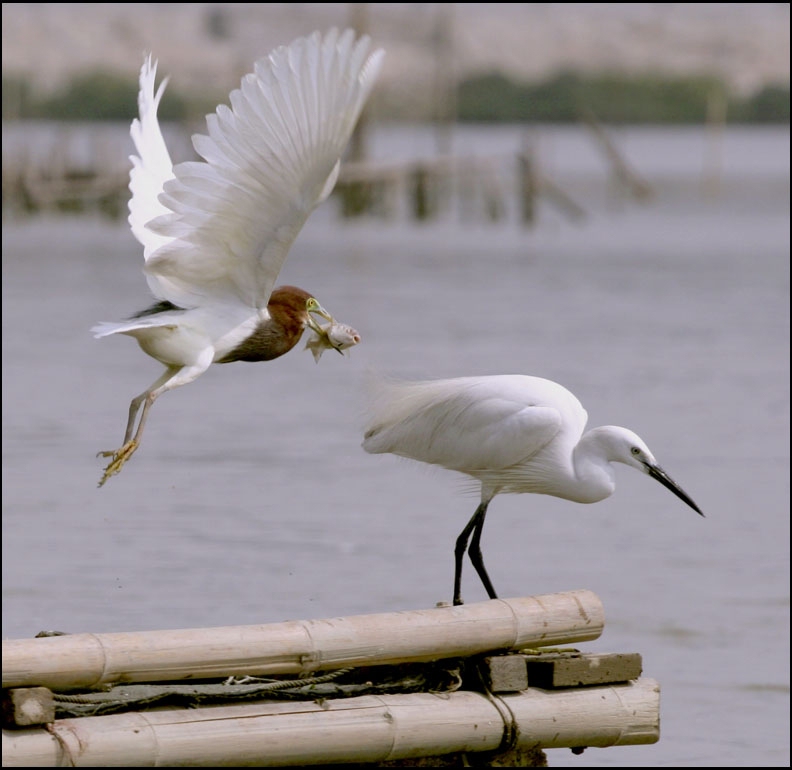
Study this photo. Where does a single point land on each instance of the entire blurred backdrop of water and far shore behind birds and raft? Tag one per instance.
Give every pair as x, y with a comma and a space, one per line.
594, 193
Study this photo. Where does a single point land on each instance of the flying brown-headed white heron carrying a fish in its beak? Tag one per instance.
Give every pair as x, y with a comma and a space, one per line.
216, 232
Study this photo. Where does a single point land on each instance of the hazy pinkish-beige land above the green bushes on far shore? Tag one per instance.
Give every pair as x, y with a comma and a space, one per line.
208, 46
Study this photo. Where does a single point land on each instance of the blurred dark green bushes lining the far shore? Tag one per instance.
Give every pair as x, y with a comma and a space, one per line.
614, 98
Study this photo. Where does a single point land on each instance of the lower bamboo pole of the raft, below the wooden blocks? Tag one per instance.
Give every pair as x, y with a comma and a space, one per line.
347, 730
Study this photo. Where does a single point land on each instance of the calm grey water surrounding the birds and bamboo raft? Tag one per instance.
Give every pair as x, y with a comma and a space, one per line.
250, 500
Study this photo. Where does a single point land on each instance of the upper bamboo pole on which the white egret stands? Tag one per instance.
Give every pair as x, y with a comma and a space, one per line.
298, 647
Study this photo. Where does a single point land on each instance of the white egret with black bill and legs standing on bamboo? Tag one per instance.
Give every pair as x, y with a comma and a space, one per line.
514, 434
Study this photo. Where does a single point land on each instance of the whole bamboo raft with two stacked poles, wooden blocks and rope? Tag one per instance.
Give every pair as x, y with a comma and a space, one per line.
432, 686
